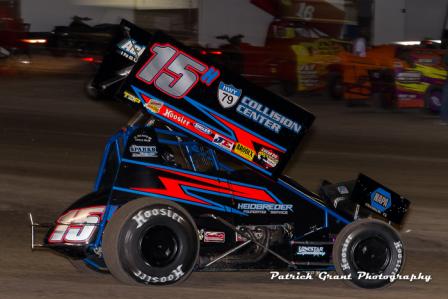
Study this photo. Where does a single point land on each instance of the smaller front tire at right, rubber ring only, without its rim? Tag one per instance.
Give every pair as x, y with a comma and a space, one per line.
351, 235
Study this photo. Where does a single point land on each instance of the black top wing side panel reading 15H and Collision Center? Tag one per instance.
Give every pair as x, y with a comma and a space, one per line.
219, 108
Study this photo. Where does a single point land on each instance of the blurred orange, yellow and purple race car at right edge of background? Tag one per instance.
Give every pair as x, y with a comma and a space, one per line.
403, 76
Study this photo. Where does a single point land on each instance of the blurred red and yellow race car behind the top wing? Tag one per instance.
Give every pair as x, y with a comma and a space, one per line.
293, 56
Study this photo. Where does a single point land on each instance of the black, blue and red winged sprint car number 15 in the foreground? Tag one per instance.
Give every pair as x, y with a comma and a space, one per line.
194, 182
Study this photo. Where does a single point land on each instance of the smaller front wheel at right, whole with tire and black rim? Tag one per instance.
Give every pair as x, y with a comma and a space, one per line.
370, 251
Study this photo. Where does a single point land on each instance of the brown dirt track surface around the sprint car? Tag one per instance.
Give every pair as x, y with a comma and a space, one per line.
51, 141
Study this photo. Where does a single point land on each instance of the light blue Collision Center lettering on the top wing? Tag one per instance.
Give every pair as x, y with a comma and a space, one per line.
266, 116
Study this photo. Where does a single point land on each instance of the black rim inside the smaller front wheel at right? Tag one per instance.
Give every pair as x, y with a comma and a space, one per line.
371, 255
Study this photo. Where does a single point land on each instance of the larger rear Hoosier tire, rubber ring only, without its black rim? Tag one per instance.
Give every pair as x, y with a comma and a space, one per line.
124, 253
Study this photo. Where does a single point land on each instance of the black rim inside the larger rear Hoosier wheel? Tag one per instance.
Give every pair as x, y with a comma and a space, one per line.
159, 246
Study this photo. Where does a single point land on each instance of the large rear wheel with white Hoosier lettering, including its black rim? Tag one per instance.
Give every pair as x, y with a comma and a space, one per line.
151, 241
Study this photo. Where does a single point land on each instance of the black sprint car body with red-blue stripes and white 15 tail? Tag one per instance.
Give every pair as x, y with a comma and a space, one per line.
199, 179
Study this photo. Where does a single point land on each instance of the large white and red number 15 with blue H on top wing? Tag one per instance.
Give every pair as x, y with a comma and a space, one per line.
174, 72
